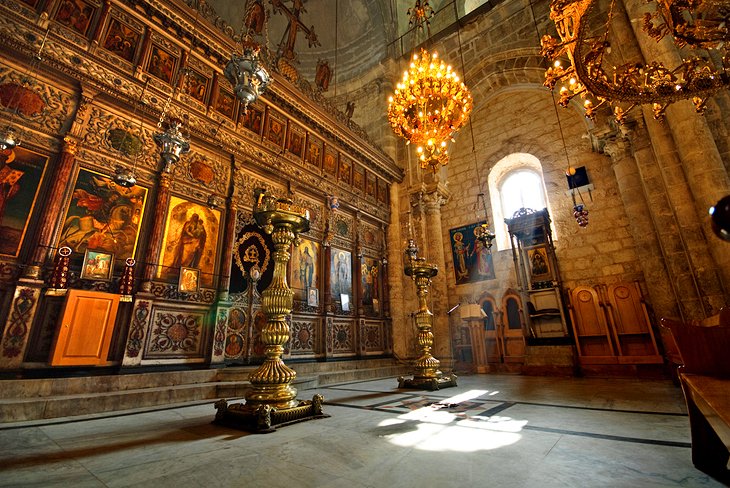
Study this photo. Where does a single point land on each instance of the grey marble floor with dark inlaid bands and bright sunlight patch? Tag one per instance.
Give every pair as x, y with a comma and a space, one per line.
491, 430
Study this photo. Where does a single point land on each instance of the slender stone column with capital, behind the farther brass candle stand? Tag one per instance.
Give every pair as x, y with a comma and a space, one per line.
434, 197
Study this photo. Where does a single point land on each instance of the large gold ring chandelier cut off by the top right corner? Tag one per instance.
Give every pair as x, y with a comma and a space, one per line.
694, 24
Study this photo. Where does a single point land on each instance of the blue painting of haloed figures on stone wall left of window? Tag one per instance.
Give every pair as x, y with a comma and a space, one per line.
472, 261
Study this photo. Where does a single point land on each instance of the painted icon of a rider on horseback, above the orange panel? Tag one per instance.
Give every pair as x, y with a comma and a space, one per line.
103, 215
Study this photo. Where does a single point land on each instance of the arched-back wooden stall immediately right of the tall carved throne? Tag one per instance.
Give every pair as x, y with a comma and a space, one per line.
590, 329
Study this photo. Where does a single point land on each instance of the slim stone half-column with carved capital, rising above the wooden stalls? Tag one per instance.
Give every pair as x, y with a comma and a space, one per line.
664, 297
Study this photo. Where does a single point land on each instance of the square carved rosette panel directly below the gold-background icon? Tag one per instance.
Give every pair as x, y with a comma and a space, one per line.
175, 333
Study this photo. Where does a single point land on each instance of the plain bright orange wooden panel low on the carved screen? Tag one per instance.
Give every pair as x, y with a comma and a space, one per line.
86, 329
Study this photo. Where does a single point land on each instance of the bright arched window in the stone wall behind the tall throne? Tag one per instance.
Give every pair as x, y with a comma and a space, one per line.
515, 182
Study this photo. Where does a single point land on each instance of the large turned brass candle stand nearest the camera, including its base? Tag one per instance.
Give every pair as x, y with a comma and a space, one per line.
272, 400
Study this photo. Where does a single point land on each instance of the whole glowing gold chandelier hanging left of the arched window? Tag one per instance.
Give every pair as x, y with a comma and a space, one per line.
428, 107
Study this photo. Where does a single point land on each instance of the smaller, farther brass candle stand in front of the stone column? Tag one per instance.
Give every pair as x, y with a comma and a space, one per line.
427, 375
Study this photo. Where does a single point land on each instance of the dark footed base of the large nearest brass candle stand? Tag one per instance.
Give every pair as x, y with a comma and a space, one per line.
263, 418
